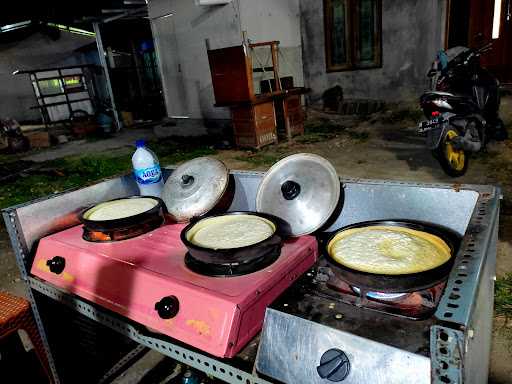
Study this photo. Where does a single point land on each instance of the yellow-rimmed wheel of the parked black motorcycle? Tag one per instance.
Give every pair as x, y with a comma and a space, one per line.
453, 161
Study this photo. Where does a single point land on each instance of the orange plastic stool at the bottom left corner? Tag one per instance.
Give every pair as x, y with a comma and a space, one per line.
15, 314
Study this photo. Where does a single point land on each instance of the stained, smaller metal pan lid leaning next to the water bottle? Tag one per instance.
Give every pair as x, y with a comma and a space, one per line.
195, 187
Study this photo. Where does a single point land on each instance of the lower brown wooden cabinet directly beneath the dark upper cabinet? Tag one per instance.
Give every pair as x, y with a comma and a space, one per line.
254, 124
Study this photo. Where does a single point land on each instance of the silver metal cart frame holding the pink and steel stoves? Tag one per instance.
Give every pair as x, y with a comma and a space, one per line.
91, 343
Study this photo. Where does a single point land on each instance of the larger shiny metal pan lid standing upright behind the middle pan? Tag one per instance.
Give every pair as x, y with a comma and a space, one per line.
302, 189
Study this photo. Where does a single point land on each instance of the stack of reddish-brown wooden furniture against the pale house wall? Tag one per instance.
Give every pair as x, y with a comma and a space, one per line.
255, 118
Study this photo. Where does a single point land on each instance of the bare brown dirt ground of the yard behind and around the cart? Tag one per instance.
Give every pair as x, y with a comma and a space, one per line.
377, 150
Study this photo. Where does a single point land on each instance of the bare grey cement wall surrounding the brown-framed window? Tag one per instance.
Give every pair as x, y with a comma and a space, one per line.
412, 33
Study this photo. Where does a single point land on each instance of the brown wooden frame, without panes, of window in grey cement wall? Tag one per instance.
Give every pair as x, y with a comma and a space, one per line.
351, 38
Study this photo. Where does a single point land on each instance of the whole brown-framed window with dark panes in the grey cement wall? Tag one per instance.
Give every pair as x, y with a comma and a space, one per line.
353, 34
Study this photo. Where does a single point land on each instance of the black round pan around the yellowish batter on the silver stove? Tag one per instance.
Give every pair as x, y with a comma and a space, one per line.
396, 283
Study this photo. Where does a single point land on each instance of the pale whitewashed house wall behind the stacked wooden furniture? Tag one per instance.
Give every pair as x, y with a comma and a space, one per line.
180, 44
